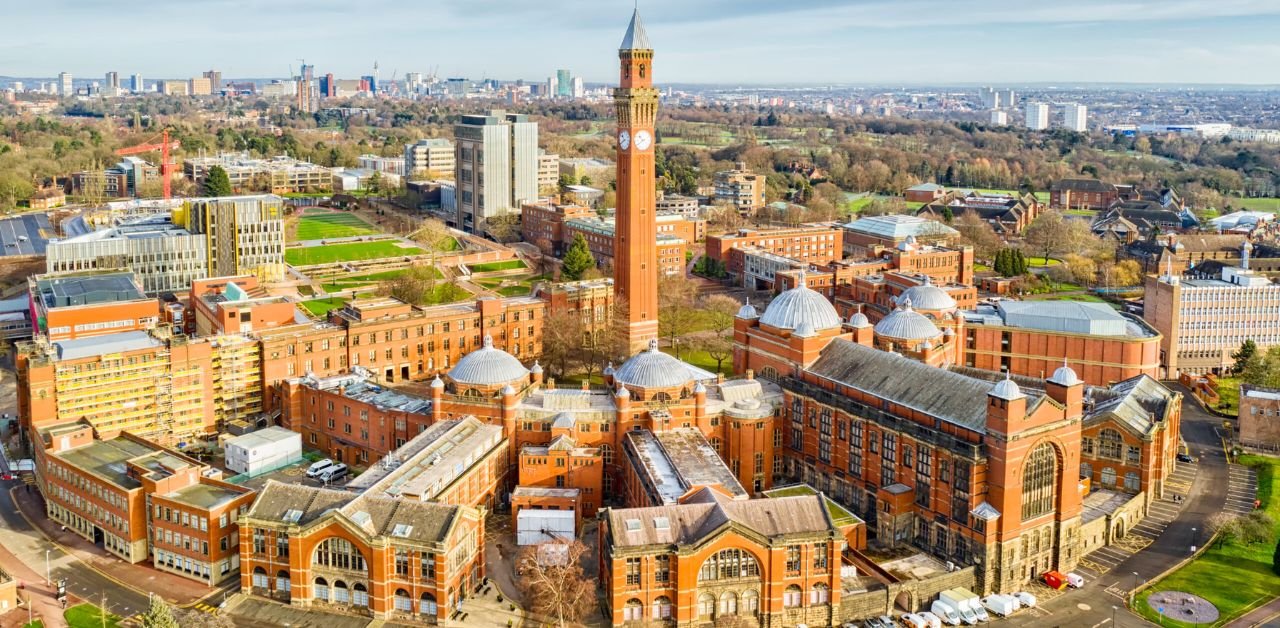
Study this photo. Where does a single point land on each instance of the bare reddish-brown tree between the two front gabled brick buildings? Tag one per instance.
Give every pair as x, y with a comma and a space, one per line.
552, 579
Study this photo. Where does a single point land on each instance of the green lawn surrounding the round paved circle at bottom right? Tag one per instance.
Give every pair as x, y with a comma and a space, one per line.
1233, 576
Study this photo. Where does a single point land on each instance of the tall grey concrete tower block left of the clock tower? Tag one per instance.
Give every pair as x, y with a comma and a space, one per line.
497, 167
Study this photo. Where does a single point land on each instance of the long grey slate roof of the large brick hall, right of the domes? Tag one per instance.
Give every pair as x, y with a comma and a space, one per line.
944, 395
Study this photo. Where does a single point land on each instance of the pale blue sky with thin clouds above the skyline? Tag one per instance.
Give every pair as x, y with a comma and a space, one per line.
703, 42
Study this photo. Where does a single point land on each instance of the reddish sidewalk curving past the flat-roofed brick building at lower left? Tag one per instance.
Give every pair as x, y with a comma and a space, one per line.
140, 577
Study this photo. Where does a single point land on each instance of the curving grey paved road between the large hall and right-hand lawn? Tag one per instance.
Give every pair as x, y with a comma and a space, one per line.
1105, 595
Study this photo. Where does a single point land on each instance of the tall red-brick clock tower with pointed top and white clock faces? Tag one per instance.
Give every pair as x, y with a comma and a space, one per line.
636, 256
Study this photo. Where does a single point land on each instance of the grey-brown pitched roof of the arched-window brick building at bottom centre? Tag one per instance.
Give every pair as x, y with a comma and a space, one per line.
707, 511
